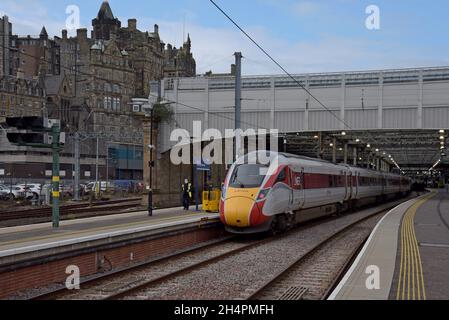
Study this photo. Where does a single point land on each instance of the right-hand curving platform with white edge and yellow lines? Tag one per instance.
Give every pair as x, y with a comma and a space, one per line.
406, 256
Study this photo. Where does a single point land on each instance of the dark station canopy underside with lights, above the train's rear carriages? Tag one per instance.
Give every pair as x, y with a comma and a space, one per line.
412, 150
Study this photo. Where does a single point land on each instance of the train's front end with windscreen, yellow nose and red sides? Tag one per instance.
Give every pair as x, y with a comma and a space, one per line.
243, 199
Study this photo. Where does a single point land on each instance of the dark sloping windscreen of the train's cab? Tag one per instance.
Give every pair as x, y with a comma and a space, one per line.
248, 176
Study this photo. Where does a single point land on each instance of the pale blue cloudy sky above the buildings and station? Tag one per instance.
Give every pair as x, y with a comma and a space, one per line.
304, 35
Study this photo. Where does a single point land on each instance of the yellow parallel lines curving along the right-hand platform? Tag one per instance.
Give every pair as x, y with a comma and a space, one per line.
411, 275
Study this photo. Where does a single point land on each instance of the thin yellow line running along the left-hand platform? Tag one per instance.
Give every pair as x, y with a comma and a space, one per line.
88, 231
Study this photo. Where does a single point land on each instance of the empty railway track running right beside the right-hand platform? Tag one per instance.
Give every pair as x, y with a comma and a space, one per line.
313, 275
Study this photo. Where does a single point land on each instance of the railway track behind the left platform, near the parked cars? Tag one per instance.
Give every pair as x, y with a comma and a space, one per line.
97, 207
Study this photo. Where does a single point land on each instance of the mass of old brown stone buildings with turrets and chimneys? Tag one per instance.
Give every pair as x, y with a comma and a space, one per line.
89, 81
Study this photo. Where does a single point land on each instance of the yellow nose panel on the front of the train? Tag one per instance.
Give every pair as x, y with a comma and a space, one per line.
238, 212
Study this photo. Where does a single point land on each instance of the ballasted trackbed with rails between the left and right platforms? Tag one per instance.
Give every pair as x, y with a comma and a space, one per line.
177, 276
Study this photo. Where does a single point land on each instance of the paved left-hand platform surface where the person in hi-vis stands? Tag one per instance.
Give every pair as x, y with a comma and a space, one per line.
34, 241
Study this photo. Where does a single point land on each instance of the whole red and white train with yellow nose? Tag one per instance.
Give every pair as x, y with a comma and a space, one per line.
291, 189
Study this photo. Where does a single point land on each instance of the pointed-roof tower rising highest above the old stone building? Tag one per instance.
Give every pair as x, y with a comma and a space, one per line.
105, 23
